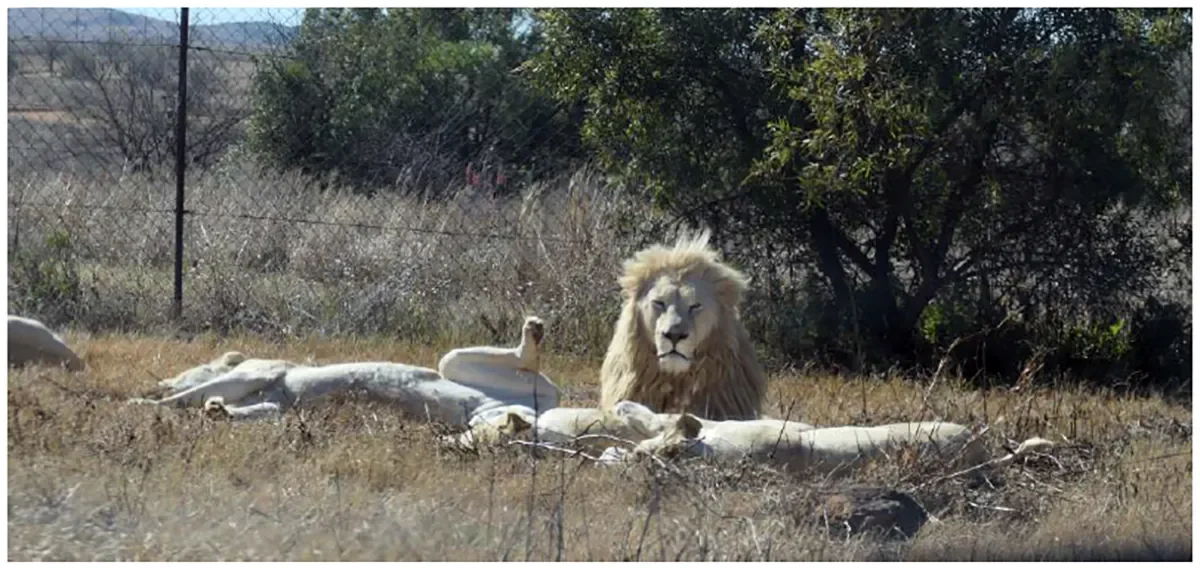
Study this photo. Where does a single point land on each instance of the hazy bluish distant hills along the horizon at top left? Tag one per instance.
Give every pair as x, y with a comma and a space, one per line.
98, 25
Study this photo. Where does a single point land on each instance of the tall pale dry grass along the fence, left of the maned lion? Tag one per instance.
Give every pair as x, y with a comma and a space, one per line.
285, 255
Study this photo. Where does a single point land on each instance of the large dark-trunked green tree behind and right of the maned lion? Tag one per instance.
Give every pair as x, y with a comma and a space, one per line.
909, 153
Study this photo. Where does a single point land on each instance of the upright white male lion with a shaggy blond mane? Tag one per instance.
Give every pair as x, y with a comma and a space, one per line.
680, 344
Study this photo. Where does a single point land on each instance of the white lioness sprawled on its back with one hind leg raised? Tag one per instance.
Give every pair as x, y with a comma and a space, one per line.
476, 380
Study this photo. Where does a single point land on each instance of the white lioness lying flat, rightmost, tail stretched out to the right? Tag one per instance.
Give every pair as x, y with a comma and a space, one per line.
818, 451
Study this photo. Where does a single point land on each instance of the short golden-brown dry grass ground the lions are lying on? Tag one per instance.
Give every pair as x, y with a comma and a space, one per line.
91, 479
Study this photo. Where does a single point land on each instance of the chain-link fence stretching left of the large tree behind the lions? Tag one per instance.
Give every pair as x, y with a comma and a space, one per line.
449, 216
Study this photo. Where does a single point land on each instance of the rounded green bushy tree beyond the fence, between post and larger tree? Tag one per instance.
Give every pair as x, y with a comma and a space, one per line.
386, 94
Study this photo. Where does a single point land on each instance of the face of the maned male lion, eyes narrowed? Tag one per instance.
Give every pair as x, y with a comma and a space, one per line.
680, 315
